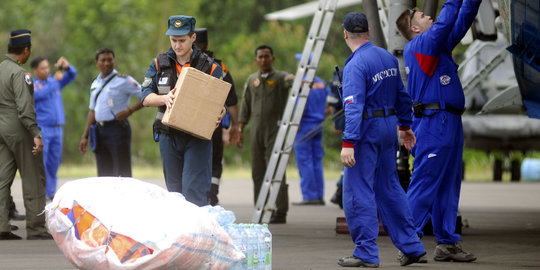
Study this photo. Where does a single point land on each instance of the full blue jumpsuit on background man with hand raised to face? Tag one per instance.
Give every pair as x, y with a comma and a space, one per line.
50, 117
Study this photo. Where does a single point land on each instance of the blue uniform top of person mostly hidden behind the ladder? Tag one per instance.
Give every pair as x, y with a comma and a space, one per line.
314, 111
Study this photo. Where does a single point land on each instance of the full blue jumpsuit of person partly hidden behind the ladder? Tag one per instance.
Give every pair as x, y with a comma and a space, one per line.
308, 143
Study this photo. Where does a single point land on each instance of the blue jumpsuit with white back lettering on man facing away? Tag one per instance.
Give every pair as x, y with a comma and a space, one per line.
371, 84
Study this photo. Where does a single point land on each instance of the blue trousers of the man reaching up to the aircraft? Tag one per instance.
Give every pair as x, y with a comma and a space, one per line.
436, 179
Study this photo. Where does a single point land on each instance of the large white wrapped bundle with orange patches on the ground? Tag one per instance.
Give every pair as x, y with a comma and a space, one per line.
124, 223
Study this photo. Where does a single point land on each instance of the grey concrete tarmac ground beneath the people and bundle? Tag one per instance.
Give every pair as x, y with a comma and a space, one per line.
503, 230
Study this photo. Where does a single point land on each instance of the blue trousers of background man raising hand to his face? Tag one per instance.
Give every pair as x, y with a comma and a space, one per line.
52, 137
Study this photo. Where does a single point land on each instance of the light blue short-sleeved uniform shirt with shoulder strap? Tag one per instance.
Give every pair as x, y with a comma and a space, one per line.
114, 97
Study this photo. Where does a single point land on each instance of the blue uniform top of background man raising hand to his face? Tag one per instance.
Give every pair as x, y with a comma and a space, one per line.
48, 98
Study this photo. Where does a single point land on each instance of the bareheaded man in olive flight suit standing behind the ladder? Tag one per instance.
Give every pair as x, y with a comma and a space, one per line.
264, 98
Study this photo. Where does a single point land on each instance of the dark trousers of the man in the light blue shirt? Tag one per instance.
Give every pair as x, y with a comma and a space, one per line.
113, 155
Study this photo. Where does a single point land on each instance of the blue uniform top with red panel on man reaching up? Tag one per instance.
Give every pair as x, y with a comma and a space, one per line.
431, 71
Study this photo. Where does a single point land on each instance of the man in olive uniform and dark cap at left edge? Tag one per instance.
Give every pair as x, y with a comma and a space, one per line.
20, 140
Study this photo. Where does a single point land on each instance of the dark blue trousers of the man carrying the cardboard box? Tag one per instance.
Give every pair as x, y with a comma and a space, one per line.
187, 166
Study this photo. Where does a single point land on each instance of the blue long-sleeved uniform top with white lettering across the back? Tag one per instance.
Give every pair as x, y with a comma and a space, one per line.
372, 81
